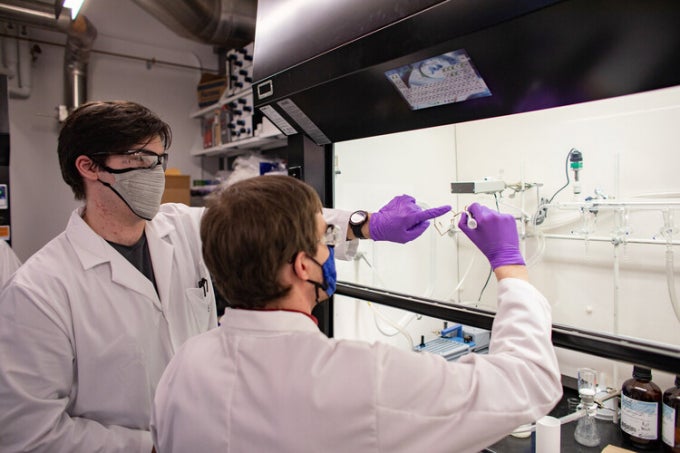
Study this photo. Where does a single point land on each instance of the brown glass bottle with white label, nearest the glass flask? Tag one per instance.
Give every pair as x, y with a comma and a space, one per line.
641, 410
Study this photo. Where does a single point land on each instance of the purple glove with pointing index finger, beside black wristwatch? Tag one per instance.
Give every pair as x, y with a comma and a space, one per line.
402, 220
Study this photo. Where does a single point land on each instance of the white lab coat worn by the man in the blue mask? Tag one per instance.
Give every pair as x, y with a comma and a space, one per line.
268, 381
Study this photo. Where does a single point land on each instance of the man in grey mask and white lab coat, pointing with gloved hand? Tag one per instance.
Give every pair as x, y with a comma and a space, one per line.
90, 321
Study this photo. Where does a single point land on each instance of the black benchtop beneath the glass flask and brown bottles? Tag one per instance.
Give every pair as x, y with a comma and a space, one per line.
610, 434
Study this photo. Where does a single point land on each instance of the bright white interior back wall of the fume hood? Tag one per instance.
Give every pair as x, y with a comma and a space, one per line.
629, 147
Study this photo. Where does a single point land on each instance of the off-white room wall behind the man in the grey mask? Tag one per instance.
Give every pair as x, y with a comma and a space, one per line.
41, 201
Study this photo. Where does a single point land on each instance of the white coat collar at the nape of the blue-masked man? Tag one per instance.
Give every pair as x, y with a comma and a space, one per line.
268, 321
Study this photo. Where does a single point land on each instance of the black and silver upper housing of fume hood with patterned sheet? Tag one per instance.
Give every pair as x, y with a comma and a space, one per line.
355, 68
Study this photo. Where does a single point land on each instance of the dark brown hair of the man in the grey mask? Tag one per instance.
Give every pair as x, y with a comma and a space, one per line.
108, 128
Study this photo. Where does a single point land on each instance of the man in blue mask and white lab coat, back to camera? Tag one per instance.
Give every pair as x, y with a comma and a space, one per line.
266, 380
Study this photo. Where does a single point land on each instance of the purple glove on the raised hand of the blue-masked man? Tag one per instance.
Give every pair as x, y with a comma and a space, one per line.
496, 235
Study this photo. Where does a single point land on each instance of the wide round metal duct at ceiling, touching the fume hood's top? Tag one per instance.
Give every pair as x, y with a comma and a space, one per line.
224, 23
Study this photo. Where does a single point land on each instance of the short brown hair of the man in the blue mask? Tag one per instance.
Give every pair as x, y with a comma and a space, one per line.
253, 228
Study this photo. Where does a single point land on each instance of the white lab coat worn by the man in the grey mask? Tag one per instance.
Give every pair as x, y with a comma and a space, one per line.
84, 337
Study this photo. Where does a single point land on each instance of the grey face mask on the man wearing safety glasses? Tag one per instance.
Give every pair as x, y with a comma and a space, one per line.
140, 188
